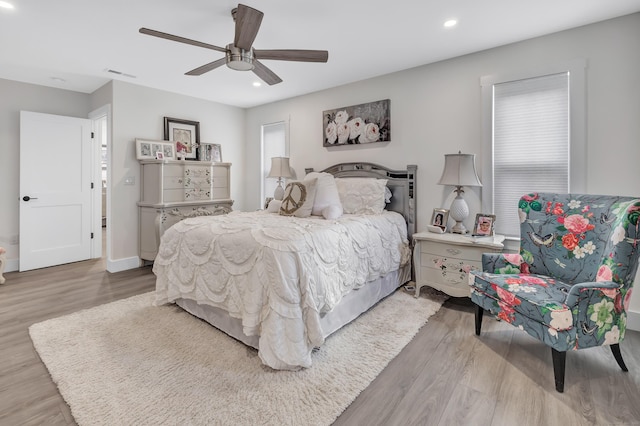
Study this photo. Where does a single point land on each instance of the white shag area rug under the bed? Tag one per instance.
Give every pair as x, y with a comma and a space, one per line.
131, 363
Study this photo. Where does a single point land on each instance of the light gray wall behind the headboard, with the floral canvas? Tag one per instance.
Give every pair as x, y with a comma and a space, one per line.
436, 109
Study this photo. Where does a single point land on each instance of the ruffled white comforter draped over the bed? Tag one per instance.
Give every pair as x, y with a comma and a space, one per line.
276, 273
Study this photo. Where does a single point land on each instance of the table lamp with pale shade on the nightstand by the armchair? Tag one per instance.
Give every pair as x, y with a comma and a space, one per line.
459, 170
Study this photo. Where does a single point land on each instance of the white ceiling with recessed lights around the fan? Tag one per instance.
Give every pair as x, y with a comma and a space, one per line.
79, 40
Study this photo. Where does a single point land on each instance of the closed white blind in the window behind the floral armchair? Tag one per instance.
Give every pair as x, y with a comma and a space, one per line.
530, 143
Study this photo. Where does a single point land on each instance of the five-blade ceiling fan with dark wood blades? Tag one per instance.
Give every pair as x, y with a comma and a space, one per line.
240, 55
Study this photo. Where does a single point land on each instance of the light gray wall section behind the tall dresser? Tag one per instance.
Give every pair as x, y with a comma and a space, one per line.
138, 112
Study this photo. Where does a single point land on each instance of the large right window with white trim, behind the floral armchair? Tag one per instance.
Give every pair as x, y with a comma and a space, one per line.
534, 140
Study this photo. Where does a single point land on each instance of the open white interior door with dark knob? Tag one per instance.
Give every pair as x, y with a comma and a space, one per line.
55, 190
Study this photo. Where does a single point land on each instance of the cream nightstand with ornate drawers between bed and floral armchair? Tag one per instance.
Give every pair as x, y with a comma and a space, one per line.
442, 261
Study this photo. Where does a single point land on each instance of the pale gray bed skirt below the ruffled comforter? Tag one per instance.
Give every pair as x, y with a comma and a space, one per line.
349, 308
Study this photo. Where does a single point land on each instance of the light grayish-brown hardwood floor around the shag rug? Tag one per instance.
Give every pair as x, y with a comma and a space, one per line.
445, 376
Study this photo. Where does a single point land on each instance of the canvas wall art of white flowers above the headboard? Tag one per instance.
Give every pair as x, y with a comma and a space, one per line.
357, 124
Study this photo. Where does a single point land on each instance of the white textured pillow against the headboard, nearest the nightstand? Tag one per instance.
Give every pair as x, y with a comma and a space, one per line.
362, 195
